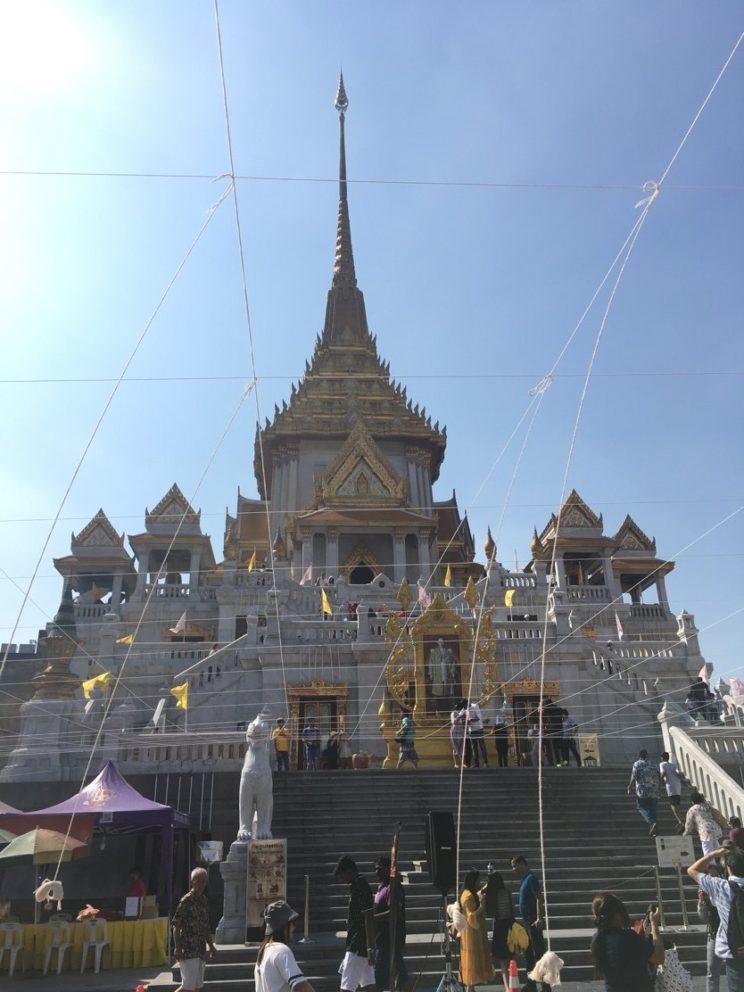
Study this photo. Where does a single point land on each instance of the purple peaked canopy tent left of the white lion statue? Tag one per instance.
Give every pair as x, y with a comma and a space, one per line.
115, 803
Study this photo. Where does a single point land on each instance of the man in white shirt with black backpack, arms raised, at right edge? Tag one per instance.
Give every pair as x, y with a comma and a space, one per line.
727, 896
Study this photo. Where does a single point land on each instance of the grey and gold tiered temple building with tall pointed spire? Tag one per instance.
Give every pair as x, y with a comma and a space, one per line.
347, 592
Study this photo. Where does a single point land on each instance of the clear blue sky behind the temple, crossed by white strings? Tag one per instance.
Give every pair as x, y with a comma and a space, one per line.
565, 108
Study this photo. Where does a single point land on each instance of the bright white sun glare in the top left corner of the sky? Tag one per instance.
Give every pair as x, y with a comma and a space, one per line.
43, 48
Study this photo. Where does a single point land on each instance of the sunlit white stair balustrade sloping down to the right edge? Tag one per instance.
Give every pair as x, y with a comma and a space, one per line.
700, 767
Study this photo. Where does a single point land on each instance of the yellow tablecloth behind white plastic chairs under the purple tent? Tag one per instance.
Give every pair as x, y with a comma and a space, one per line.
133, 944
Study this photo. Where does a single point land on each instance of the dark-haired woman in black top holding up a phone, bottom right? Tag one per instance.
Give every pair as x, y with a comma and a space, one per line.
621, 956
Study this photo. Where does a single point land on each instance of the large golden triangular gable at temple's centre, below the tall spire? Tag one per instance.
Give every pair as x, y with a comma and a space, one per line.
359, 471
